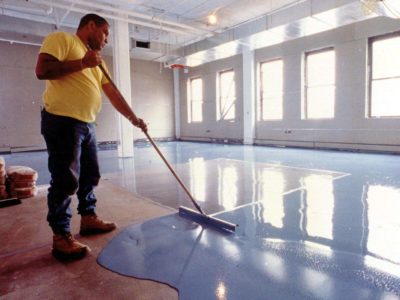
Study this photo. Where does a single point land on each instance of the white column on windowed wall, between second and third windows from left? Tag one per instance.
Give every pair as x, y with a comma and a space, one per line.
248, 97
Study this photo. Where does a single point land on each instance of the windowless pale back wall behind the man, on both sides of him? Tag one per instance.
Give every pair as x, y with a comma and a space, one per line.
21, 94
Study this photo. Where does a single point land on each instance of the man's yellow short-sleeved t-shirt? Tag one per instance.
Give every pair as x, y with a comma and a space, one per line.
76, 95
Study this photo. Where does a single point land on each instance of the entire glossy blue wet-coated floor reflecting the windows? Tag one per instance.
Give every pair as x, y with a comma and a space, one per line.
312, 224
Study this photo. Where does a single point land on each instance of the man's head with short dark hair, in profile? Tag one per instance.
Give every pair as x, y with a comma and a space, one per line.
94, 29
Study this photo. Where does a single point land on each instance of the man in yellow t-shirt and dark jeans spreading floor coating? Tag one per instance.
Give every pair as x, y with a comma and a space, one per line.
74, 81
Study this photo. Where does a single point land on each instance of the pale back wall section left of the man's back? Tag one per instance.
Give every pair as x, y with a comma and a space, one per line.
20, 97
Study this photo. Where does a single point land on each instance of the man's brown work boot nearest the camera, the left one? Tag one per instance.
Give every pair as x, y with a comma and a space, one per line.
66, 247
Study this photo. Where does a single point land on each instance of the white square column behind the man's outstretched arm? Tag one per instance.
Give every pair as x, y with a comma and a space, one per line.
122, 78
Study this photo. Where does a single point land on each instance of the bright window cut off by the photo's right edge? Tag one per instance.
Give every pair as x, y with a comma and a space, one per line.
384, 77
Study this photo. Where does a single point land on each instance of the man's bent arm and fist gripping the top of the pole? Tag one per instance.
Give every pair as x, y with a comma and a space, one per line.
49, 67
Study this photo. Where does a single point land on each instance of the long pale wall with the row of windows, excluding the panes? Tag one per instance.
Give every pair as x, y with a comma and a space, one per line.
350, 129
